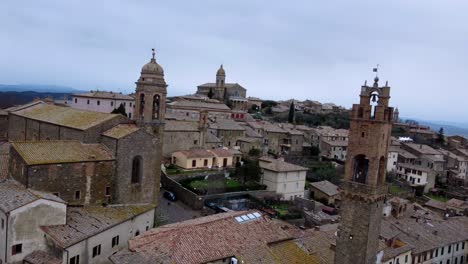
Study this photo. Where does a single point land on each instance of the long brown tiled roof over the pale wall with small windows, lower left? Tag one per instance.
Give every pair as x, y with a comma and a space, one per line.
85, 222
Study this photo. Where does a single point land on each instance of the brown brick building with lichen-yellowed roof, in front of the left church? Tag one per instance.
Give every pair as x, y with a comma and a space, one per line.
78, 173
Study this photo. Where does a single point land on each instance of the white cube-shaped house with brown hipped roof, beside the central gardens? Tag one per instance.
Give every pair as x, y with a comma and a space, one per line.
282, 177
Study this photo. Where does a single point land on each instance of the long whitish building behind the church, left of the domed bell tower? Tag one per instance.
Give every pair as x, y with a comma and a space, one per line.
102, 101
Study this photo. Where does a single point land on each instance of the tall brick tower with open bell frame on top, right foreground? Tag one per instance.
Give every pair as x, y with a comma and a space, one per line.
363, 190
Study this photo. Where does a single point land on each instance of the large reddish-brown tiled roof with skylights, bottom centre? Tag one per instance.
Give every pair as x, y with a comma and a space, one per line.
213, 238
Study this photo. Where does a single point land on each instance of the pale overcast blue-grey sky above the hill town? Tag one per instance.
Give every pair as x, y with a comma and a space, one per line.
320, 50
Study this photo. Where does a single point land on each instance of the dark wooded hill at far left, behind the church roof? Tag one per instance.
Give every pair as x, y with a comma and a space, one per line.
8, 99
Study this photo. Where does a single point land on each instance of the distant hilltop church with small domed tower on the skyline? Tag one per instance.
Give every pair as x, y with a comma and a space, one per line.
232, 94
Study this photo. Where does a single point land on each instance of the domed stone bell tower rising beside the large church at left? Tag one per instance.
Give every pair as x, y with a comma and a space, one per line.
149, 114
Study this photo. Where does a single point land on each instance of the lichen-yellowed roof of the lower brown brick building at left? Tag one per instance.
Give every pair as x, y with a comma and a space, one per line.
60, 151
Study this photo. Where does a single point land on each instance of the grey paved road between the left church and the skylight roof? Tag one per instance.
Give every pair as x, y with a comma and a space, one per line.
177, 211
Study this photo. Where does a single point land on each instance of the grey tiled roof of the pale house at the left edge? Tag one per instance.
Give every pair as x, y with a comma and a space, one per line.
14, 195
